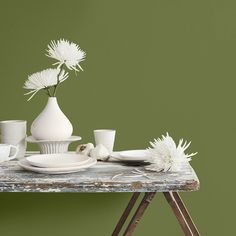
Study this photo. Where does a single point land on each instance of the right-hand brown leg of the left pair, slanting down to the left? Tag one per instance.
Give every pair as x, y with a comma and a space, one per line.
139, 213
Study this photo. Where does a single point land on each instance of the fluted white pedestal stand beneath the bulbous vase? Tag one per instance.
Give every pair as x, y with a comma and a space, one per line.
51, 147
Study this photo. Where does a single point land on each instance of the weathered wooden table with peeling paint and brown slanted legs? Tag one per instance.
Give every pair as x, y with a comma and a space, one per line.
100, 178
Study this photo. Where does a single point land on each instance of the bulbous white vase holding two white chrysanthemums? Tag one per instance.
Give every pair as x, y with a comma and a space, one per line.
52, 124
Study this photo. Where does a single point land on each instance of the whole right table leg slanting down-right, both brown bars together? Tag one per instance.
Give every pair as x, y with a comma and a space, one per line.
181, 213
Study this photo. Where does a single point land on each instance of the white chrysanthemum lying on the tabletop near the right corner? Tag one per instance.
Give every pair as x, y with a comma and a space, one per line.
165, 155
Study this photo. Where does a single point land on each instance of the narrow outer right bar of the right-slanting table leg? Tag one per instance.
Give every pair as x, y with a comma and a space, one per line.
186, 214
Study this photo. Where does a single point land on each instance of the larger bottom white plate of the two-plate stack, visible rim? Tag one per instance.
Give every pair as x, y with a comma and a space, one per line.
61, 170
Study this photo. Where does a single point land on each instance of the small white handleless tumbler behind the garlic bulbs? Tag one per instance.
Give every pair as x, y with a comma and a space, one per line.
106, 137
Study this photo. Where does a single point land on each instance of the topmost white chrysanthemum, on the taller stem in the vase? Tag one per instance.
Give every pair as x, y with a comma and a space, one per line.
66, 53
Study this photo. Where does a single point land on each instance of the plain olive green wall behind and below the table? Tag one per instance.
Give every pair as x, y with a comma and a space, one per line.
151, 67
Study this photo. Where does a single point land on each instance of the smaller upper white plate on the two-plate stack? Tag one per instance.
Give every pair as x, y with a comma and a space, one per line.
57, 160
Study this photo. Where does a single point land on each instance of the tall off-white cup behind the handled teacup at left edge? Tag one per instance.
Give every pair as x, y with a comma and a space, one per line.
14, 132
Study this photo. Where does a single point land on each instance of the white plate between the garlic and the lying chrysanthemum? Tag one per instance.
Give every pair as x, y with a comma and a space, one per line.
131, 155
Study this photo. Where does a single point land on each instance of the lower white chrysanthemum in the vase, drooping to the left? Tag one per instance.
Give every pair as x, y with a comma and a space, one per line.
43, 80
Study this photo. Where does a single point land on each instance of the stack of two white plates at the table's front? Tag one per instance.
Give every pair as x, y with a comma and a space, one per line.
57, 163
